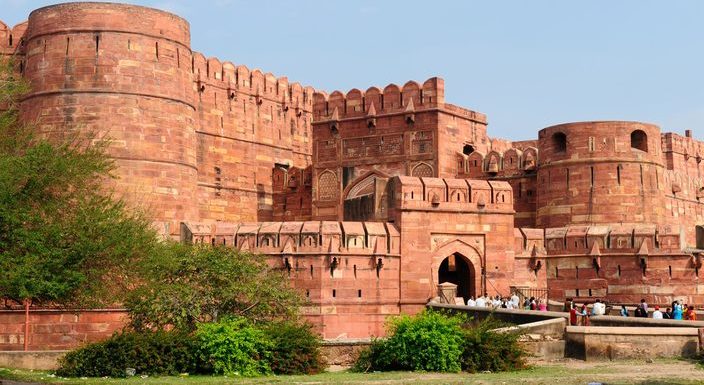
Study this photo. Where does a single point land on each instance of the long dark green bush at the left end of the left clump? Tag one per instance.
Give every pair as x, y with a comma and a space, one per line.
159, 353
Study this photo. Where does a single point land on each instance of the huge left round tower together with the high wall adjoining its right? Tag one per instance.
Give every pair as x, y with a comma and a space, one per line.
194, 138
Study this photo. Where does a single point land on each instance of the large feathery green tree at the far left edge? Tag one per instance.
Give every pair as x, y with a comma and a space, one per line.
64, 237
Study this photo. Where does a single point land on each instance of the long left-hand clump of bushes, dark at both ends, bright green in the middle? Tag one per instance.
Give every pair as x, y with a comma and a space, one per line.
234, 347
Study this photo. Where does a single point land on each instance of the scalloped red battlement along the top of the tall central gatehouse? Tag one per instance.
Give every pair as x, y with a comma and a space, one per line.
410, 97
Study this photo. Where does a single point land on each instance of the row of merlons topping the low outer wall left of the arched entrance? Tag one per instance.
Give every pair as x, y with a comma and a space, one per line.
305, 237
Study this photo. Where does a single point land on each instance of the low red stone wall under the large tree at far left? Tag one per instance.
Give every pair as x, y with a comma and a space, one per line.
58, 329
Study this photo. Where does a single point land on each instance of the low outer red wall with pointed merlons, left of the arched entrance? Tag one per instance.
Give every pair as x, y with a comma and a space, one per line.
347, 271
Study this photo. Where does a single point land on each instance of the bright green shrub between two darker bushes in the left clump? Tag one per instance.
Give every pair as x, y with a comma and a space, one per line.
234, 347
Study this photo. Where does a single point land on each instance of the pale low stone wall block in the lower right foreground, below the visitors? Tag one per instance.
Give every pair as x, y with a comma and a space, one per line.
592, 343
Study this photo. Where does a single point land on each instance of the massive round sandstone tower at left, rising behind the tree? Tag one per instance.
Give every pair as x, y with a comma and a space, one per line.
124, 72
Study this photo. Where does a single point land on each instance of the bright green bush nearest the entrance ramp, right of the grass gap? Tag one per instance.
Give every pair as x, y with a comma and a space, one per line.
427, 341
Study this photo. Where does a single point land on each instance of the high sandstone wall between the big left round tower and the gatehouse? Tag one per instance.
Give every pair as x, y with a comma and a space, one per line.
246, 123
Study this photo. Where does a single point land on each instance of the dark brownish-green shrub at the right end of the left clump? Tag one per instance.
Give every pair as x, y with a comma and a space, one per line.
295, 348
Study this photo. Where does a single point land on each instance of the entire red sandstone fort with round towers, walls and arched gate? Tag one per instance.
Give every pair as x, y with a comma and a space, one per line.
367, 198
